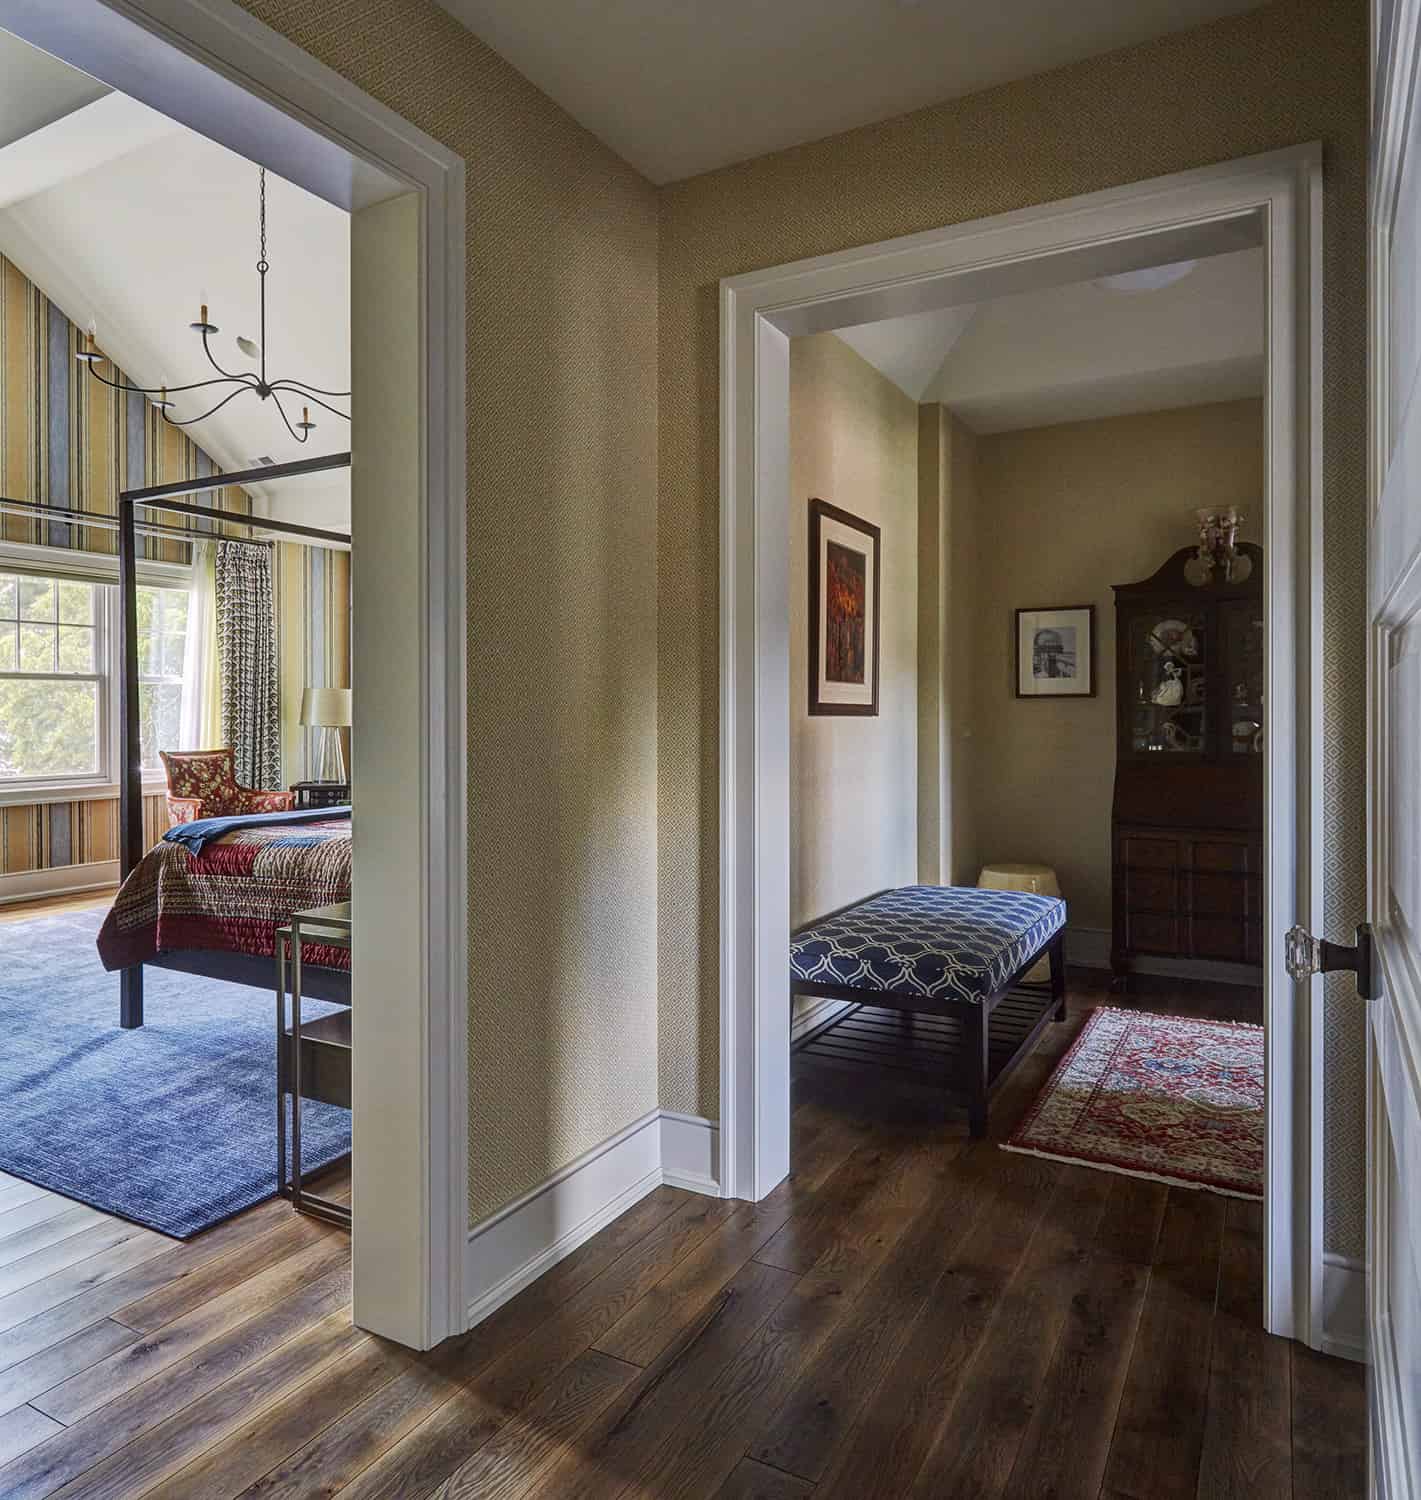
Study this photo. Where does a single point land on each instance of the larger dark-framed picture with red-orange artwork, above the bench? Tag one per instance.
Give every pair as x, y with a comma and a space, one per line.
840, 643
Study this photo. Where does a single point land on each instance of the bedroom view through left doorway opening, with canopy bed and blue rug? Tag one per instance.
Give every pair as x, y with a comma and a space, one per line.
191, 373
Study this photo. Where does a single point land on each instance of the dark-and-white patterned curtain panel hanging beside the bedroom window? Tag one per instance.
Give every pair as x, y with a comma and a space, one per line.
247, 656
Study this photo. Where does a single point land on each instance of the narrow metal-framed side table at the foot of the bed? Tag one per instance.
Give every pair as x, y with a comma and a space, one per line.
313, 1058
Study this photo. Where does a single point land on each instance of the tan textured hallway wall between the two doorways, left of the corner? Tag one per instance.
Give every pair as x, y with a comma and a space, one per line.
562, 395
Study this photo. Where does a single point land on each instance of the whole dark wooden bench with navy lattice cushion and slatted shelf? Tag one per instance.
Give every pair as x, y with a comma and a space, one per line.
957, 953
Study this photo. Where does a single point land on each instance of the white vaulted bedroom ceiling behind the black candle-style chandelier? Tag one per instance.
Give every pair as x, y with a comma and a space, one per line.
131, 223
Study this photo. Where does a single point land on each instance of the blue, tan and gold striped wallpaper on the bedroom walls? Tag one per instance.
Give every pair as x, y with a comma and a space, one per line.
68, 440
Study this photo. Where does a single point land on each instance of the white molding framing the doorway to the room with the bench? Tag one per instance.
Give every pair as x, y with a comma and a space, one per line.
1281, 196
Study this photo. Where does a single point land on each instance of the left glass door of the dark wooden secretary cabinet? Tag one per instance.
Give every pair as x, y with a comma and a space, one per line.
1167, 670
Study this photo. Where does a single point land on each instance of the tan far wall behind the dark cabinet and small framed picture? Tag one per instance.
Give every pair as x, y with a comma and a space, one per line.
1066, 512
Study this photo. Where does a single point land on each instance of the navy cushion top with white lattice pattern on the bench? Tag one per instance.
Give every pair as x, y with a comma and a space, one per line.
945, 943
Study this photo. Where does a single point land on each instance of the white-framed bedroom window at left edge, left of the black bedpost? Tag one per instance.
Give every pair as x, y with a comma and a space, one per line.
53, 680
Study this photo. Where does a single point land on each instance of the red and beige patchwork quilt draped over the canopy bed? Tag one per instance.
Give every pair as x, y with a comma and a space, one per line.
233, 896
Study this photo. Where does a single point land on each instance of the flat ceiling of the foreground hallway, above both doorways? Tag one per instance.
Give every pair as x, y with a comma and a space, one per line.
685, 86
